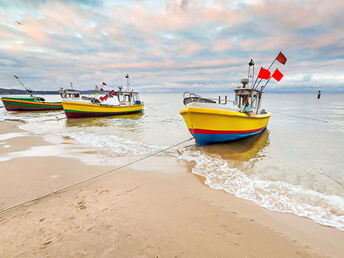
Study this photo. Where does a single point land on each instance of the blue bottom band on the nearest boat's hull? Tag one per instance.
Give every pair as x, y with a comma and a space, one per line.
205, 139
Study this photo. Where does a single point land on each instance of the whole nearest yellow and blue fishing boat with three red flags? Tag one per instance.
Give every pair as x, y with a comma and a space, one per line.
213, 121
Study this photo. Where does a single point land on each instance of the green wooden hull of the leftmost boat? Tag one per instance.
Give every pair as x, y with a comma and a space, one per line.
29, 104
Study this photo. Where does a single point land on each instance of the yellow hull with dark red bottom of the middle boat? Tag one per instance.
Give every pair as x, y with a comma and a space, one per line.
80, 110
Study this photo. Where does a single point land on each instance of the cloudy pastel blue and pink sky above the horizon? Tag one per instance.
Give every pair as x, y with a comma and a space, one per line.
171, 45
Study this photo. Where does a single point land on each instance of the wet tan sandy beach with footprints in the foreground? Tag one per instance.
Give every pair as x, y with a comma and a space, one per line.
155, 208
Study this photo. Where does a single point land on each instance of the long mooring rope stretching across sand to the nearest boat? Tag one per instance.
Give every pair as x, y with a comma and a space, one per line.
91, 178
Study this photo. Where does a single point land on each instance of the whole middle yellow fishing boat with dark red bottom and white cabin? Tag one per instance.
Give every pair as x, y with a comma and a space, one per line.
114, 103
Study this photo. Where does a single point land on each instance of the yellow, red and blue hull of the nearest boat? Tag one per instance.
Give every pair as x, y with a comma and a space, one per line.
209, 126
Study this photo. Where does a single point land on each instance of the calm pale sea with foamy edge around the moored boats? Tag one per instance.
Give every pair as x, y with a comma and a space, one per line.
295, 166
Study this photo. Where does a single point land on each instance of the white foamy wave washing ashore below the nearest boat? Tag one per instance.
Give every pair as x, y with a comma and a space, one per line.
274, 195
